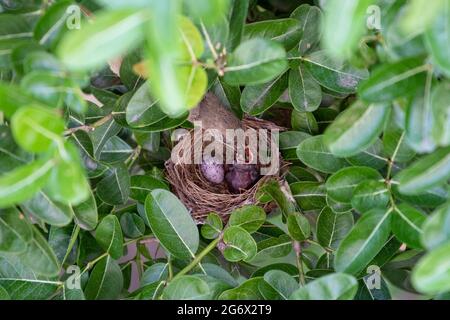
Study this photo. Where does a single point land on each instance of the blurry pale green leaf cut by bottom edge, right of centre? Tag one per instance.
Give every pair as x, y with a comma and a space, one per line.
336, 286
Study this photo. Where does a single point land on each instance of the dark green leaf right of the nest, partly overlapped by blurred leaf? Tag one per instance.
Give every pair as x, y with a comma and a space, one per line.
316, 155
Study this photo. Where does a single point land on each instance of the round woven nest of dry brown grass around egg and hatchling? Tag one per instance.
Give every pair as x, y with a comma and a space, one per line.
202, 197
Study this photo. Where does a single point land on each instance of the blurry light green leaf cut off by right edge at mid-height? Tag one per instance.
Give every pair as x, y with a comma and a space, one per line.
428, 172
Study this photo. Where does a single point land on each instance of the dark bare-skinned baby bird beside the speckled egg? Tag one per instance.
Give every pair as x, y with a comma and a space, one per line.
241, 176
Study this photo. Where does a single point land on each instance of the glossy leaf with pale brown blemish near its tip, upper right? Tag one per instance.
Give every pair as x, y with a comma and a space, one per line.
334, 75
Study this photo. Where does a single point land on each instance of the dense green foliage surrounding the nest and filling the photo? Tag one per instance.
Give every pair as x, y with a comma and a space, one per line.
83, 140
